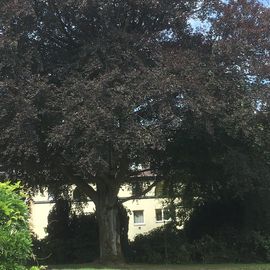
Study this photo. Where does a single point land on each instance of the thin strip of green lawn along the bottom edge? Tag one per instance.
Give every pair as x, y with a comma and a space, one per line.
171, 267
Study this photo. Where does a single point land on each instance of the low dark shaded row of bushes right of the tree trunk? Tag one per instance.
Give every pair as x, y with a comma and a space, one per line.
170, 245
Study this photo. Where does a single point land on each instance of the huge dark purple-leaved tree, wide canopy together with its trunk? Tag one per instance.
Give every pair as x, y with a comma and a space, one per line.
92, 89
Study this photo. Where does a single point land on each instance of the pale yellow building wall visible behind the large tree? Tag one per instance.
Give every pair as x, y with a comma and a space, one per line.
42, 205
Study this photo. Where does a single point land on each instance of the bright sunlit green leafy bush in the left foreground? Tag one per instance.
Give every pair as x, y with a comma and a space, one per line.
15, 238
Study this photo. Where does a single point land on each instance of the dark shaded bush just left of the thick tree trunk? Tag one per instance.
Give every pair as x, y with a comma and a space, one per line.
71, 238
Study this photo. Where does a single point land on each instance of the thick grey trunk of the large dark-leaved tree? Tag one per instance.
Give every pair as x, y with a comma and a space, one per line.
109, 227
